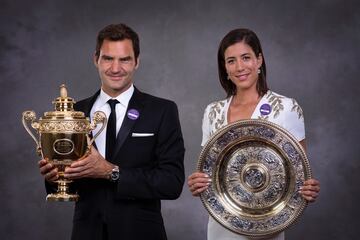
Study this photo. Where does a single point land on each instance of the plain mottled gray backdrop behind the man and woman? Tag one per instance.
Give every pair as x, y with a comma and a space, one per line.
312, 54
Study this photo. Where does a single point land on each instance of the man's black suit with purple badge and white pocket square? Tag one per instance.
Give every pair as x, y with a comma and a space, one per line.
151, 169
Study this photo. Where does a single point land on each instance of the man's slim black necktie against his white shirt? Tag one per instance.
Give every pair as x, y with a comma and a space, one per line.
111, 130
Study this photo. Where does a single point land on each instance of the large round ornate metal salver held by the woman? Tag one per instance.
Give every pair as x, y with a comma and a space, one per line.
266, 165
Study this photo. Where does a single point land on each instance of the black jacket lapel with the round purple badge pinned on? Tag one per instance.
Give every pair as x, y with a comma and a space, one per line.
135, 103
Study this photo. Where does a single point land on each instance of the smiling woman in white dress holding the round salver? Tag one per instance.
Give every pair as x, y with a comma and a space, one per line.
242, 73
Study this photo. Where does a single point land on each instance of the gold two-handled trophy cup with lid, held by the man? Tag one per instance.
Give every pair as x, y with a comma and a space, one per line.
63, 137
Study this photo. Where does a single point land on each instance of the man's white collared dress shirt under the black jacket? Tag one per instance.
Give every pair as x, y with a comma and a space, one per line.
101, 104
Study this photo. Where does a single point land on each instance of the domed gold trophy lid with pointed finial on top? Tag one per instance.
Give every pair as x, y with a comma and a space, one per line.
64, 106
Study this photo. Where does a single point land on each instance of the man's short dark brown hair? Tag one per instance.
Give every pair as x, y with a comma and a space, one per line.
117, 32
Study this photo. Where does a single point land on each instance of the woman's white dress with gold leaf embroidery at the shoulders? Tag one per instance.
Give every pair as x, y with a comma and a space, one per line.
273, 107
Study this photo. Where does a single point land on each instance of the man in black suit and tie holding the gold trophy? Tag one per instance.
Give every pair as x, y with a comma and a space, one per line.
123, 179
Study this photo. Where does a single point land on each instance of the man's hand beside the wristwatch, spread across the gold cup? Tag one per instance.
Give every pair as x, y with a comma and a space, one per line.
92, 165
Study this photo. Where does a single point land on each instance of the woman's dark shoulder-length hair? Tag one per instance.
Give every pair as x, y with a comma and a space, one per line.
249, 37
